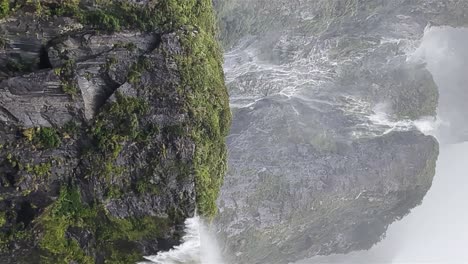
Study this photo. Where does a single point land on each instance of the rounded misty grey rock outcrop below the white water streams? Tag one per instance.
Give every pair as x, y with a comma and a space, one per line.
294, 191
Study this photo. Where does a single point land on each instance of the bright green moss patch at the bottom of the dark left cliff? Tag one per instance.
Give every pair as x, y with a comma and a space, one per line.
114, 237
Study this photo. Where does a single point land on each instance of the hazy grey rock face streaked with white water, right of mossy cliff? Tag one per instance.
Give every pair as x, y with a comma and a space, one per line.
325, 148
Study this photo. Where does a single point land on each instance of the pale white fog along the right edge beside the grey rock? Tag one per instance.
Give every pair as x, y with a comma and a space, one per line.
436, 231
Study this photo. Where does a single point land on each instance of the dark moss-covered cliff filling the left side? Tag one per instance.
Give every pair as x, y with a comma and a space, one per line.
112, 123
